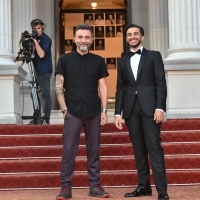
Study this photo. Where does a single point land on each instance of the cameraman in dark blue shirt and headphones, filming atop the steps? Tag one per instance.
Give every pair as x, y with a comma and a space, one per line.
43, 66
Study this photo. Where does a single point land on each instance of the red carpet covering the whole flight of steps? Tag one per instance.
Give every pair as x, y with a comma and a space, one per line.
30, 155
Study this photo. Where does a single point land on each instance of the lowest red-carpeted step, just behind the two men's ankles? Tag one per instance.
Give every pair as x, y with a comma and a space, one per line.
80, 179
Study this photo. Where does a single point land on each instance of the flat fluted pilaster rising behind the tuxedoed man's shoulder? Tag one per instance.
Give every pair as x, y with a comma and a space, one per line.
158, 26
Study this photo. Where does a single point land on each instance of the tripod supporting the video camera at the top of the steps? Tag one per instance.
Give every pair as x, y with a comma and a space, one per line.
34, 87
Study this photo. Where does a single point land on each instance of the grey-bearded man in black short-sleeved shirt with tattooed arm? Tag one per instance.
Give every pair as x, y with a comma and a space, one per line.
81, 73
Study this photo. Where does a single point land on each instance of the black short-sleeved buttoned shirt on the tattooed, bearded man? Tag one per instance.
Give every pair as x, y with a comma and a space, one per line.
81, 76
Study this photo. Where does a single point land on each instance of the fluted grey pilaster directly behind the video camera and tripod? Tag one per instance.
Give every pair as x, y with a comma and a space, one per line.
24, 11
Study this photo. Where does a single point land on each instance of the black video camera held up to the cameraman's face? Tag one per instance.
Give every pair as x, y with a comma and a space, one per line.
28, 45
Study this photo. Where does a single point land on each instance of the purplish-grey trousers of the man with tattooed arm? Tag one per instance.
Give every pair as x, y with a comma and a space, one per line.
71, 137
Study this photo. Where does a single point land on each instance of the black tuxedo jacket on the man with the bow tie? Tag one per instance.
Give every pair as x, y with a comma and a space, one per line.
150, 84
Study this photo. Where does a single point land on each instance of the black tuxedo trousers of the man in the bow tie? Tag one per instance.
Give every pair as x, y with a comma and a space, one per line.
146, 140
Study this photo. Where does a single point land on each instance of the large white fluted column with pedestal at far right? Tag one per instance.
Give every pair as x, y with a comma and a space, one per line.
182, 64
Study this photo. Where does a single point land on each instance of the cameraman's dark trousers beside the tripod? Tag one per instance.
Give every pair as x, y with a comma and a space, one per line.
44, 83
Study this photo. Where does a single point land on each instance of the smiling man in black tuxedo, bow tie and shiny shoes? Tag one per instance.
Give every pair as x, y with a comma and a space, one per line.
141, 95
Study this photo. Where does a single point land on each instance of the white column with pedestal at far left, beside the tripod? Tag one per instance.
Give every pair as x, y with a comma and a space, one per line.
10, 74
